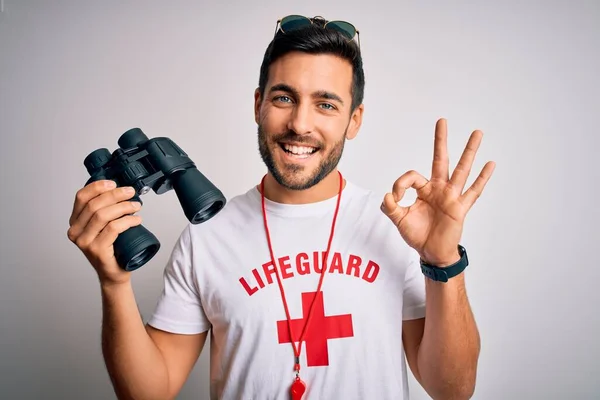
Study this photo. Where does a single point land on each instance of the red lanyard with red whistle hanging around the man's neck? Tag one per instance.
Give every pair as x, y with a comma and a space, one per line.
298, 387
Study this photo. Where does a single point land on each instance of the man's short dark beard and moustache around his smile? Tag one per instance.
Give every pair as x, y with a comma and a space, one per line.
294, 176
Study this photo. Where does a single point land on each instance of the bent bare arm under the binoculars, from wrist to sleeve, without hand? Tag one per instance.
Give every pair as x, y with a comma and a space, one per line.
143, 362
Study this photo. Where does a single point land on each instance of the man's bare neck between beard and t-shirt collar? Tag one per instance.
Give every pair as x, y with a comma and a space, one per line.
324, 190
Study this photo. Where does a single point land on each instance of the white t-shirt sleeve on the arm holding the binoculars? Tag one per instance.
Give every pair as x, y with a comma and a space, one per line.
179, 308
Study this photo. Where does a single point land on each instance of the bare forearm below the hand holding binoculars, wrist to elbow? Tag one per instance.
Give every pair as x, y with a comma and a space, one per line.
135, 365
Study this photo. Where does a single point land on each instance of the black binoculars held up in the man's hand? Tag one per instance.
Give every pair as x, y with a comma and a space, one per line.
161, 165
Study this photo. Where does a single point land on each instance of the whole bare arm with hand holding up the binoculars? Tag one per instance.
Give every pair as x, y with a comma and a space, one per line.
142, 362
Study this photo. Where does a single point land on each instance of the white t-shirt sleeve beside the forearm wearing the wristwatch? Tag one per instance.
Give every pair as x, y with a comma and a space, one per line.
414, 289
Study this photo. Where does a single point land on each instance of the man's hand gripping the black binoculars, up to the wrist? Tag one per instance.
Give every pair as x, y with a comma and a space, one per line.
100, 213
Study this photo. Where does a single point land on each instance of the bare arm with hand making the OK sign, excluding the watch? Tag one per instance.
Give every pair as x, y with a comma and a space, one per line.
443, 349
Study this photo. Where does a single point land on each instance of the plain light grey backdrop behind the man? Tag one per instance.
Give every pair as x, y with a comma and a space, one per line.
75, 74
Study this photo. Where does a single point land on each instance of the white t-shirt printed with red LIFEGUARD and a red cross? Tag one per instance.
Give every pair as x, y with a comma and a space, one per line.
220, 277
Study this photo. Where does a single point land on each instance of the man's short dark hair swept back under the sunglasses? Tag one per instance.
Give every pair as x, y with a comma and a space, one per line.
315, 39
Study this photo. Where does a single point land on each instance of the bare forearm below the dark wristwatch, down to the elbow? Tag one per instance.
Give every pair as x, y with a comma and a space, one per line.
449, 350
